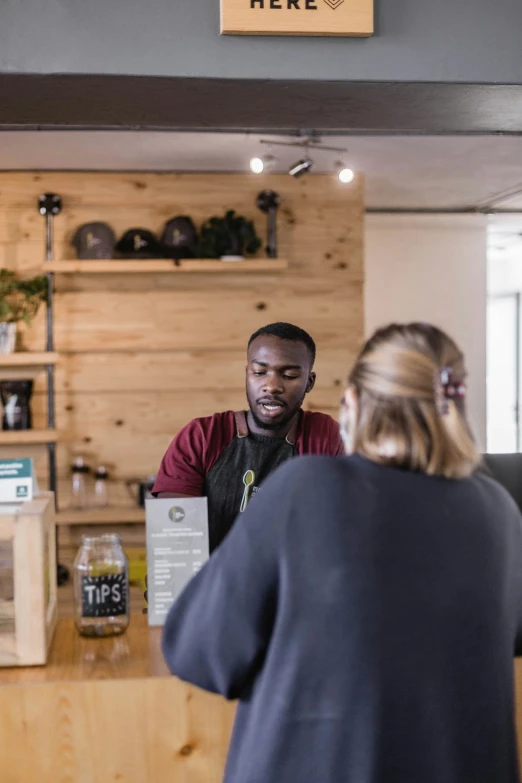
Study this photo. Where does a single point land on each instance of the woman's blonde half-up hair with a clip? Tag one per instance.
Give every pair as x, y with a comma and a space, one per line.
409, 380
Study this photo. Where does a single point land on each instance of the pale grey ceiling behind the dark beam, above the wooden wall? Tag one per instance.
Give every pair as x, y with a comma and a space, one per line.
402, 172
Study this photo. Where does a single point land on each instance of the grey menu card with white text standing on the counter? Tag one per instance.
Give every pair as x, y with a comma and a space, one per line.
177, 547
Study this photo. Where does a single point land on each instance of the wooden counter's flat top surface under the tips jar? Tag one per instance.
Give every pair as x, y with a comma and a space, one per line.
134, 655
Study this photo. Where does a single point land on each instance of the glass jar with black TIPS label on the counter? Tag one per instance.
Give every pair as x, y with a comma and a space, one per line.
101, 587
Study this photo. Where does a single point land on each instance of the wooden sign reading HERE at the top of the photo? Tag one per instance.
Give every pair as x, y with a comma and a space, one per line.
297, 17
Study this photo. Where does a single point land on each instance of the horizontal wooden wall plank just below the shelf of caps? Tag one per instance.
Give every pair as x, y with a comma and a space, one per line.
172, 320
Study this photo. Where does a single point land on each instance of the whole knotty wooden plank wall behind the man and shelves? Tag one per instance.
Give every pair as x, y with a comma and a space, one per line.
144, 354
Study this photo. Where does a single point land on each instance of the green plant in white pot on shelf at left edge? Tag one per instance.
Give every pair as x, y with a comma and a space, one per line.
19, 301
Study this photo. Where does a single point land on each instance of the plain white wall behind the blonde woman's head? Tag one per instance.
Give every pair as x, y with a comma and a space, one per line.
433, 268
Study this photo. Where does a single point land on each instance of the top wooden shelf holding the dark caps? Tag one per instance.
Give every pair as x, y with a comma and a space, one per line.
159, 265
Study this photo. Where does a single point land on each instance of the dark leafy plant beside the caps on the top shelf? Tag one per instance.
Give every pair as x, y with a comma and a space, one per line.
229, 238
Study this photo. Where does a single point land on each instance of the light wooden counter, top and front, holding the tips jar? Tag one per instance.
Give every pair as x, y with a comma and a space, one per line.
107, 710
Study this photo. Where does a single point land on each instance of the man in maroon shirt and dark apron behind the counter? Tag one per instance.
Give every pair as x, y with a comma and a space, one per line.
225, 457
